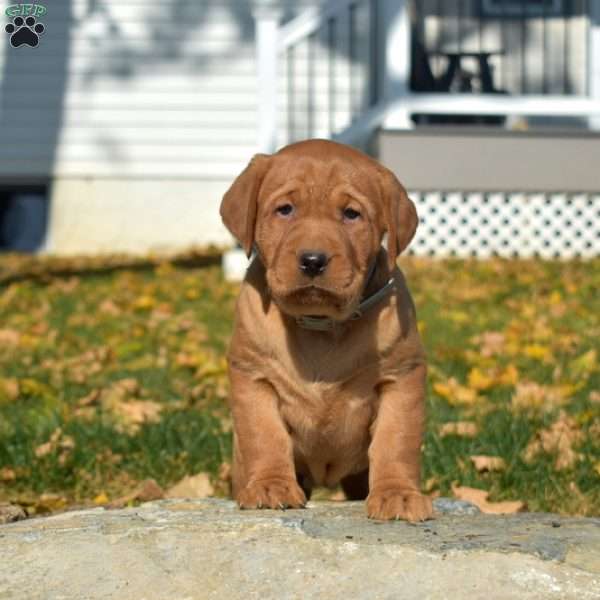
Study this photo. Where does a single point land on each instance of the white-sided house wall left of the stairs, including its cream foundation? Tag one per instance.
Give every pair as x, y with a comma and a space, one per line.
139, 112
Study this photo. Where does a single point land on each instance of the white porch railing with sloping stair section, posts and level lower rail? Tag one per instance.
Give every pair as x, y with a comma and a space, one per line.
373, 79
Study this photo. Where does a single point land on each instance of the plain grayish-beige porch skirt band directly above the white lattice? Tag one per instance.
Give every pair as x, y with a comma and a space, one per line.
476, 159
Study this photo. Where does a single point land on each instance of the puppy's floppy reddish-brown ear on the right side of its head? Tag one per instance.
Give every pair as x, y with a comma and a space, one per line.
400, 216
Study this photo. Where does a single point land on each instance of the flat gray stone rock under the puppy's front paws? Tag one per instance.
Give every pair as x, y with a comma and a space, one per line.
196, 549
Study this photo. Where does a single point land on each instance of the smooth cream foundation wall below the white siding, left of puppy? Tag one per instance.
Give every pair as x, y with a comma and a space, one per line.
134, 215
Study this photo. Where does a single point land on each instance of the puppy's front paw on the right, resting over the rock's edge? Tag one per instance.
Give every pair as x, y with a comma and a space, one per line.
398, 503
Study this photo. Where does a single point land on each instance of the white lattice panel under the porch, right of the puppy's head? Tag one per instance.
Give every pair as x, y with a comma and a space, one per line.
507, 224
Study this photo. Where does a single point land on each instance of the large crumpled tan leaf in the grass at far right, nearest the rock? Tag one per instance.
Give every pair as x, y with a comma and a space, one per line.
559, 438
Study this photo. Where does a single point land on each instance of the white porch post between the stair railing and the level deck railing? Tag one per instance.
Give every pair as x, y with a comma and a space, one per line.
396, 27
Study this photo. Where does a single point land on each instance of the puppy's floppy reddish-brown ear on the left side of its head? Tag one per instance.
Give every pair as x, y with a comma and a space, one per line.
239, 204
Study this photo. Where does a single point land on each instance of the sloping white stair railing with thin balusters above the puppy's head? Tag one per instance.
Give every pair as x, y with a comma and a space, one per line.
324, 93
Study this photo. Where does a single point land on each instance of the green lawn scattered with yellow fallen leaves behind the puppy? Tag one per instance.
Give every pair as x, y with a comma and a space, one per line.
68, 342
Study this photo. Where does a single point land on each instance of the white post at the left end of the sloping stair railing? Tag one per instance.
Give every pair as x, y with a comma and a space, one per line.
267, 23
